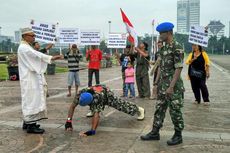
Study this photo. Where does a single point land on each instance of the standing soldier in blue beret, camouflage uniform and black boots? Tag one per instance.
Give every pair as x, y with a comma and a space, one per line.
170, 86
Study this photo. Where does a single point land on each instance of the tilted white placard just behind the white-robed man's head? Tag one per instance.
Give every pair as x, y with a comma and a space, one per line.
45, 32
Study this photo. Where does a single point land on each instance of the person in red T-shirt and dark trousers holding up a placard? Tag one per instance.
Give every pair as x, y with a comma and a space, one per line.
94, 57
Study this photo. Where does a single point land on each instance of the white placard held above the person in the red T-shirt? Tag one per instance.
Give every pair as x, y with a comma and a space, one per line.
90, 37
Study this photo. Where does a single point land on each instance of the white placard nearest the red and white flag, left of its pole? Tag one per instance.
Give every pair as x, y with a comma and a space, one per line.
117, 40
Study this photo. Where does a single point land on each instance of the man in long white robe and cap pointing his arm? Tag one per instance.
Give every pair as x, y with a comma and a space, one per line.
32, 66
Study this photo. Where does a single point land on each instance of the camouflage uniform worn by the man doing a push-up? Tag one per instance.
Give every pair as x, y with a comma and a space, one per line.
107, 97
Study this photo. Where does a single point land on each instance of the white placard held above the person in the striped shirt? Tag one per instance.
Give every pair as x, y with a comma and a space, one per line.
68, 35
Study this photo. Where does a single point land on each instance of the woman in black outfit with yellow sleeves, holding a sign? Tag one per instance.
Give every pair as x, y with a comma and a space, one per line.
198, 72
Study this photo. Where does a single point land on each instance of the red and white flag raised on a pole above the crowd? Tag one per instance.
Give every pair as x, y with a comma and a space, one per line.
130, 29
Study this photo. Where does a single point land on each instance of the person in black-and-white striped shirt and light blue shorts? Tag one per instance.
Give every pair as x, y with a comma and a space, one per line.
73, 57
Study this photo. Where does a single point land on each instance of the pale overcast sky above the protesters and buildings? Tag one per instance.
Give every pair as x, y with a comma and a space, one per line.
95, 14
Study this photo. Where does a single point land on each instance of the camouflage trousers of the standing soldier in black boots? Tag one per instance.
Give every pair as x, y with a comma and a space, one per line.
175, 105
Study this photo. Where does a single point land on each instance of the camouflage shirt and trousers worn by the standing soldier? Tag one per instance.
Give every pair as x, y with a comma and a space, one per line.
172, 56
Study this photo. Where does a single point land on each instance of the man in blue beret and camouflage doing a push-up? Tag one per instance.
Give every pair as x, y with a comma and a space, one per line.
97, 97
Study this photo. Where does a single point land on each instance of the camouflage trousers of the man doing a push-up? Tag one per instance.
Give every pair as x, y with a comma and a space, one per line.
122, 105
